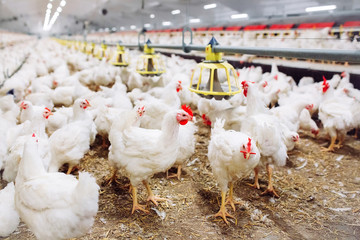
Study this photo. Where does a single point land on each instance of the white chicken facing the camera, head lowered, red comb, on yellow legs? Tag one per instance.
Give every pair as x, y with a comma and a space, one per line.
232, 155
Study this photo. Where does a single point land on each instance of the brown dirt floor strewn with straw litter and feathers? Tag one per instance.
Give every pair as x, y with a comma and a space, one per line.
319, 199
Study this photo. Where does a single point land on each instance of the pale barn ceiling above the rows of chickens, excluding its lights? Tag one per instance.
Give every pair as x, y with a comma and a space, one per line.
28, 15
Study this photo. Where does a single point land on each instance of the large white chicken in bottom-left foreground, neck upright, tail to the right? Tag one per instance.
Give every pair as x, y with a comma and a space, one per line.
53, 205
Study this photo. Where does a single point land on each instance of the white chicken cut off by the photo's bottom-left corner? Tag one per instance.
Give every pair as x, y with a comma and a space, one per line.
9, 217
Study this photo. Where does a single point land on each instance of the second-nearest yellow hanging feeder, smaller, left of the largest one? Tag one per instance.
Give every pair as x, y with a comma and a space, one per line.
150, 64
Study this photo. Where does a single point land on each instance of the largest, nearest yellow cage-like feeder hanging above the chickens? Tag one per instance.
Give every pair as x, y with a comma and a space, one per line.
209, 77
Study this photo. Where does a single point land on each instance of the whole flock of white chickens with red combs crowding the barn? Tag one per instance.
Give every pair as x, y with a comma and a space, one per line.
53, 108
